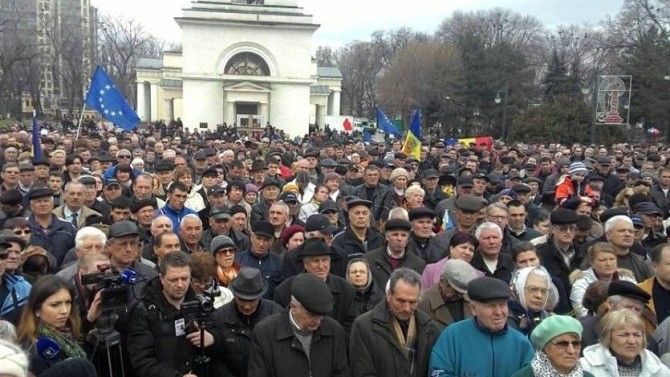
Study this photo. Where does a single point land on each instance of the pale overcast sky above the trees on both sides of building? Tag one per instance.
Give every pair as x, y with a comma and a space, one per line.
343, 21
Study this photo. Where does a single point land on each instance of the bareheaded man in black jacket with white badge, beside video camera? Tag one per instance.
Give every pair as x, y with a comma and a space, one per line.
160, 341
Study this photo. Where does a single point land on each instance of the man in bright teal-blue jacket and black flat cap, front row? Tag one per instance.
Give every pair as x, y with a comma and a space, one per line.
483, 345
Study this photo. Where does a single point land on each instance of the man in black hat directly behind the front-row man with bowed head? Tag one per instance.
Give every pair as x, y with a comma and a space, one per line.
315, 255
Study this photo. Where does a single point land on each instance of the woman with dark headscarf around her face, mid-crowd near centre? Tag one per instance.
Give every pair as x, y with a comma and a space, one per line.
367, 292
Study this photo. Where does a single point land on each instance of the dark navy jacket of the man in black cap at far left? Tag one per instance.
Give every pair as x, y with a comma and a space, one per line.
58, 239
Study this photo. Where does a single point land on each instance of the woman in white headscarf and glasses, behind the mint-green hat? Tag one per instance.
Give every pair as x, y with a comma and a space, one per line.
530, 294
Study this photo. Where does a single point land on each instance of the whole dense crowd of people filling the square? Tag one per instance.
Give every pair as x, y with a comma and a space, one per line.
167, 253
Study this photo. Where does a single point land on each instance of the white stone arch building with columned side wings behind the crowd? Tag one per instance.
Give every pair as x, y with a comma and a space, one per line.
243, 62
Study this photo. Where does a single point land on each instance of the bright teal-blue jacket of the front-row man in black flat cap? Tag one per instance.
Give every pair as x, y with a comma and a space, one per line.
467, 349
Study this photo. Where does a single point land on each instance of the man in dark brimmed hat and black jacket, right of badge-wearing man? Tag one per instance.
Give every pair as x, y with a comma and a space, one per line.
235, 321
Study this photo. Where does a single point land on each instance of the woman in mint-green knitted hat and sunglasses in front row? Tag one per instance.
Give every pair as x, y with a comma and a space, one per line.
557, 342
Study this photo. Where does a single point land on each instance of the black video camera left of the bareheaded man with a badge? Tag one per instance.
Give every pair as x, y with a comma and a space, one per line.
113, 287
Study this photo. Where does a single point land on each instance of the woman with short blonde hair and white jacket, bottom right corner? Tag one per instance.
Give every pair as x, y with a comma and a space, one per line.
621, 351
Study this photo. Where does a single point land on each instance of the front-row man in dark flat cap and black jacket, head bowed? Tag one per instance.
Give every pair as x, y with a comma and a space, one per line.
303, 340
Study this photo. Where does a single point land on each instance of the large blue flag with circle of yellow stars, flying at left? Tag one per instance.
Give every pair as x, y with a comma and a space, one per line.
106, 98
